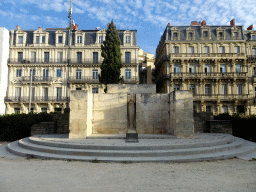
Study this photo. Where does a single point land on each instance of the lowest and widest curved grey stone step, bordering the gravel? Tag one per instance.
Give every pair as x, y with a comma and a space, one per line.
246, 149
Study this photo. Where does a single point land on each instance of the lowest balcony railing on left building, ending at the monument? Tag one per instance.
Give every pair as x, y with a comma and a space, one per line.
36, 99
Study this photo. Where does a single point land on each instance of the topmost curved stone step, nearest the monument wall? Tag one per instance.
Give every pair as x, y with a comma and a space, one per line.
144, 144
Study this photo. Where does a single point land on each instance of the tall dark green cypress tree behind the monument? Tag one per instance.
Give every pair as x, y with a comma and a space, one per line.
112, 63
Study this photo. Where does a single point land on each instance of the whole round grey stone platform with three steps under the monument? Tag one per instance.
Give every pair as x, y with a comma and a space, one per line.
150, 148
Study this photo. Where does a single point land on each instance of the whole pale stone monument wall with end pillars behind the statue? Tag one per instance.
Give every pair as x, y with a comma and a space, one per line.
110, 113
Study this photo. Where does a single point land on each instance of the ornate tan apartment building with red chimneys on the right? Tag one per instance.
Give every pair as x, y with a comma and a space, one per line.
217, 63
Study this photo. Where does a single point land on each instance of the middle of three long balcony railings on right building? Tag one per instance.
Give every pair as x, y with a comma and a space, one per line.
207, 75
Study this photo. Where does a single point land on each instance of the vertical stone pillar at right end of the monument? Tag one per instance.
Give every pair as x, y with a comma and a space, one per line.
181, 114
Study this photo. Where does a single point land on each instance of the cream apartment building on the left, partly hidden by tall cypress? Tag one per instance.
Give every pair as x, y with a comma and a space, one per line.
45, 65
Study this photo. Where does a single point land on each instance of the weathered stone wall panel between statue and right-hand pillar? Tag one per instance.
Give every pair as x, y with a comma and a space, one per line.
152, 113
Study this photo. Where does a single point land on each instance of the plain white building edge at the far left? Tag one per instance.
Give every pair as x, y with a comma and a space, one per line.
4, 52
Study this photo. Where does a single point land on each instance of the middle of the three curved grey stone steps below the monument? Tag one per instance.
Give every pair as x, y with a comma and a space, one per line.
24, 143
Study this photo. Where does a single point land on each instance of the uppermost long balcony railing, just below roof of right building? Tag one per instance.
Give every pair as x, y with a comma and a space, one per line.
207, 55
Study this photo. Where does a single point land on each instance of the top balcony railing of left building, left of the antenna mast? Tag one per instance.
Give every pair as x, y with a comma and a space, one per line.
37, 61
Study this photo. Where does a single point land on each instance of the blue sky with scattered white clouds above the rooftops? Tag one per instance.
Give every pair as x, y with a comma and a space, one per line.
148, 17
